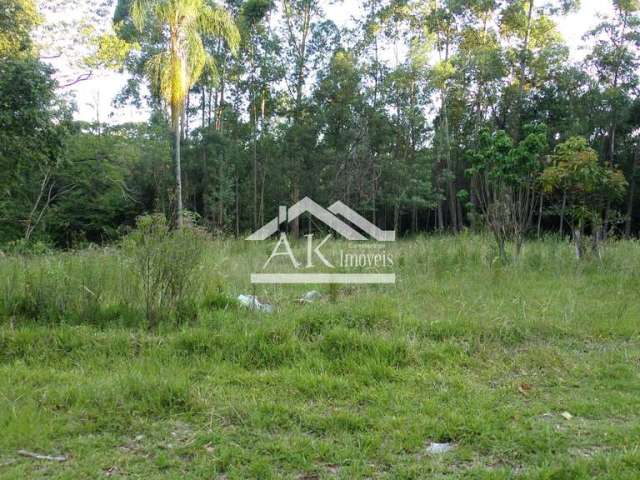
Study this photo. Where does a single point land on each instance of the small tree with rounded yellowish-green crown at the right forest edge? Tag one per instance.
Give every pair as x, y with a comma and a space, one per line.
588, 185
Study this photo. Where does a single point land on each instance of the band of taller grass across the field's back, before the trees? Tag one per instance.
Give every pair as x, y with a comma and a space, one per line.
102, 287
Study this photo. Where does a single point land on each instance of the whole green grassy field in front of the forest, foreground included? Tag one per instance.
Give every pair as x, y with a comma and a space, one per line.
463, 350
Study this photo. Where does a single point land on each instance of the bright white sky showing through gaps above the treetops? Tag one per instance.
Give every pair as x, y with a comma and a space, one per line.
104, 85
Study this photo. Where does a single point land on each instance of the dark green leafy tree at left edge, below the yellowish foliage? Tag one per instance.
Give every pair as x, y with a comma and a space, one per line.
34, 126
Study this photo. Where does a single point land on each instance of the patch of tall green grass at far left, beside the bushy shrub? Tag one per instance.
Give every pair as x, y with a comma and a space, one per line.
75, 289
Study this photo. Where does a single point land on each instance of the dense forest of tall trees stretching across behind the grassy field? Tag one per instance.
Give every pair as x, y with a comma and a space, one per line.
423, 115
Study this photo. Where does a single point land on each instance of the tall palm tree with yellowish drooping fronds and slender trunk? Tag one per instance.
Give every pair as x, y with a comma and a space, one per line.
182, 25
